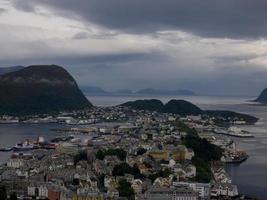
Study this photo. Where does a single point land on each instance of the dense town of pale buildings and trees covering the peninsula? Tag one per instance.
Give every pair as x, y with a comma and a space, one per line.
123, 153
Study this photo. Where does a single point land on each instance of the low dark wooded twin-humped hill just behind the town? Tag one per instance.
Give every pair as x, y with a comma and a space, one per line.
185, 108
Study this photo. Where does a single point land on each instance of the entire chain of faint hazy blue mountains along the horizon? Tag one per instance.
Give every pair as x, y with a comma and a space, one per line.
92, 90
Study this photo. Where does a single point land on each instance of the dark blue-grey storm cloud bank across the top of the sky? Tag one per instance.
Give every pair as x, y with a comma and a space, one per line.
211, 18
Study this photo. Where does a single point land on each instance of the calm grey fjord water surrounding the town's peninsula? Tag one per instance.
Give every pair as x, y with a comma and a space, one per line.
250, 176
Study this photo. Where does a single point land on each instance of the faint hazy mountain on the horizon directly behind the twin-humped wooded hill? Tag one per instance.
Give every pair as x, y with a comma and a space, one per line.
151, 91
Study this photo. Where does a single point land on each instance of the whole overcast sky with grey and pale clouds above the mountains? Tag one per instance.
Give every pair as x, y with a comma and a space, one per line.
212, 47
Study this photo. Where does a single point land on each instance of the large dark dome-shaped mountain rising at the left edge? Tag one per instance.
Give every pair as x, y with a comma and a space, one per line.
40, 89
